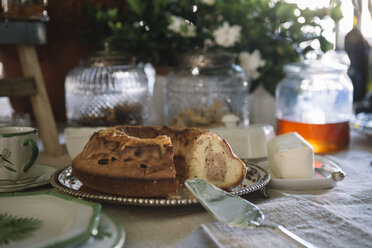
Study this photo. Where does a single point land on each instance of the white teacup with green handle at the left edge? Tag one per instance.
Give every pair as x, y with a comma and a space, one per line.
18, 152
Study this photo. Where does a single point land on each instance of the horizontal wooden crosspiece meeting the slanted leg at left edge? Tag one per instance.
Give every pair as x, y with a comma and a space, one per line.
18, 87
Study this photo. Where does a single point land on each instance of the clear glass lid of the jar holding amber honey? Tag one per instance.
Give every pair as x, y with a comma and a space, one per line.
315, 66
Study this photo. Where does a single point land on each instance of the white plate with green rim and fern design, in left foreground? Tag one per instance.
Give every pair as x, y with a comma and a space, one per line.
46, 219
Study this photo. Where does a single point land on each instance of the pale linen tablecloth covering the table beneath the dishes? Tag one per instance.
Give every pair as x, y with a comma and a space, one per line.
337, 217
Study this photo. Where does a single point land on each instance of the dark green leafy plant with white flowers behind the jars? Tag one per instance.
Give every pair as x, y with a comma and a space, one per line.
264, 34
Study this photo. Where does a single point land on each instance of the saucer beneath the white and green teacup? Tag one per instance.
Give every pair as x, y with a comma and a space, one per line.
42, 174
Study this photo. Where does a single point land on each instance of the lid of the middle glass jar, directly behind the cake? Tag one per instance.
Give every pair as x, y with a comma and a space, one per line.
207, 59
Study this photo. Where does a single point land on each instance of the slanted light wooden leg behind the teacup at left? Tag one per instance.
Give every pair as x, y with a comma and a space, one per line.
40, 102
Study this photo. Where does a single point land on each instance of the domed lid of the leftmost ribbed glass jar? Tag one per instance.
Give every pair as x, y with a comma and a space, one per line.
107, 58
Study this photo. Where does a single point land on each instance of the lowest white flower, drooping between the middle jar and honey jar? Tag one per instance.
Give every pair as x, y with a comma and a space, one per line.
250, 63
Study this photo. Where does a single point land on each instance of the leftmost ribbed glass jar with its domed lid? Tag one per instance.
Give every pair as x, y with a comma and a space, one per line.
106, 90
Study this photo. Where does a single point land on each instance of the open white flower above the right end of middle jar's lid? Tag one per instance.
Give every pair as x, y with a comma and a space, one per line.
227, 35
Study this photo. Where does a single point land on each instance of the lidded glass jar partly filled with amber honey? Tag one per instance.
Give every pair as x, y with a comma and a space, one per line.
315, 100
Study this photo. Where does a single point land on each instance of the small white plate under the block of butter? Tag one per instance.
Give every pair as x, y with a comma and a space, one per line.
324, 177
